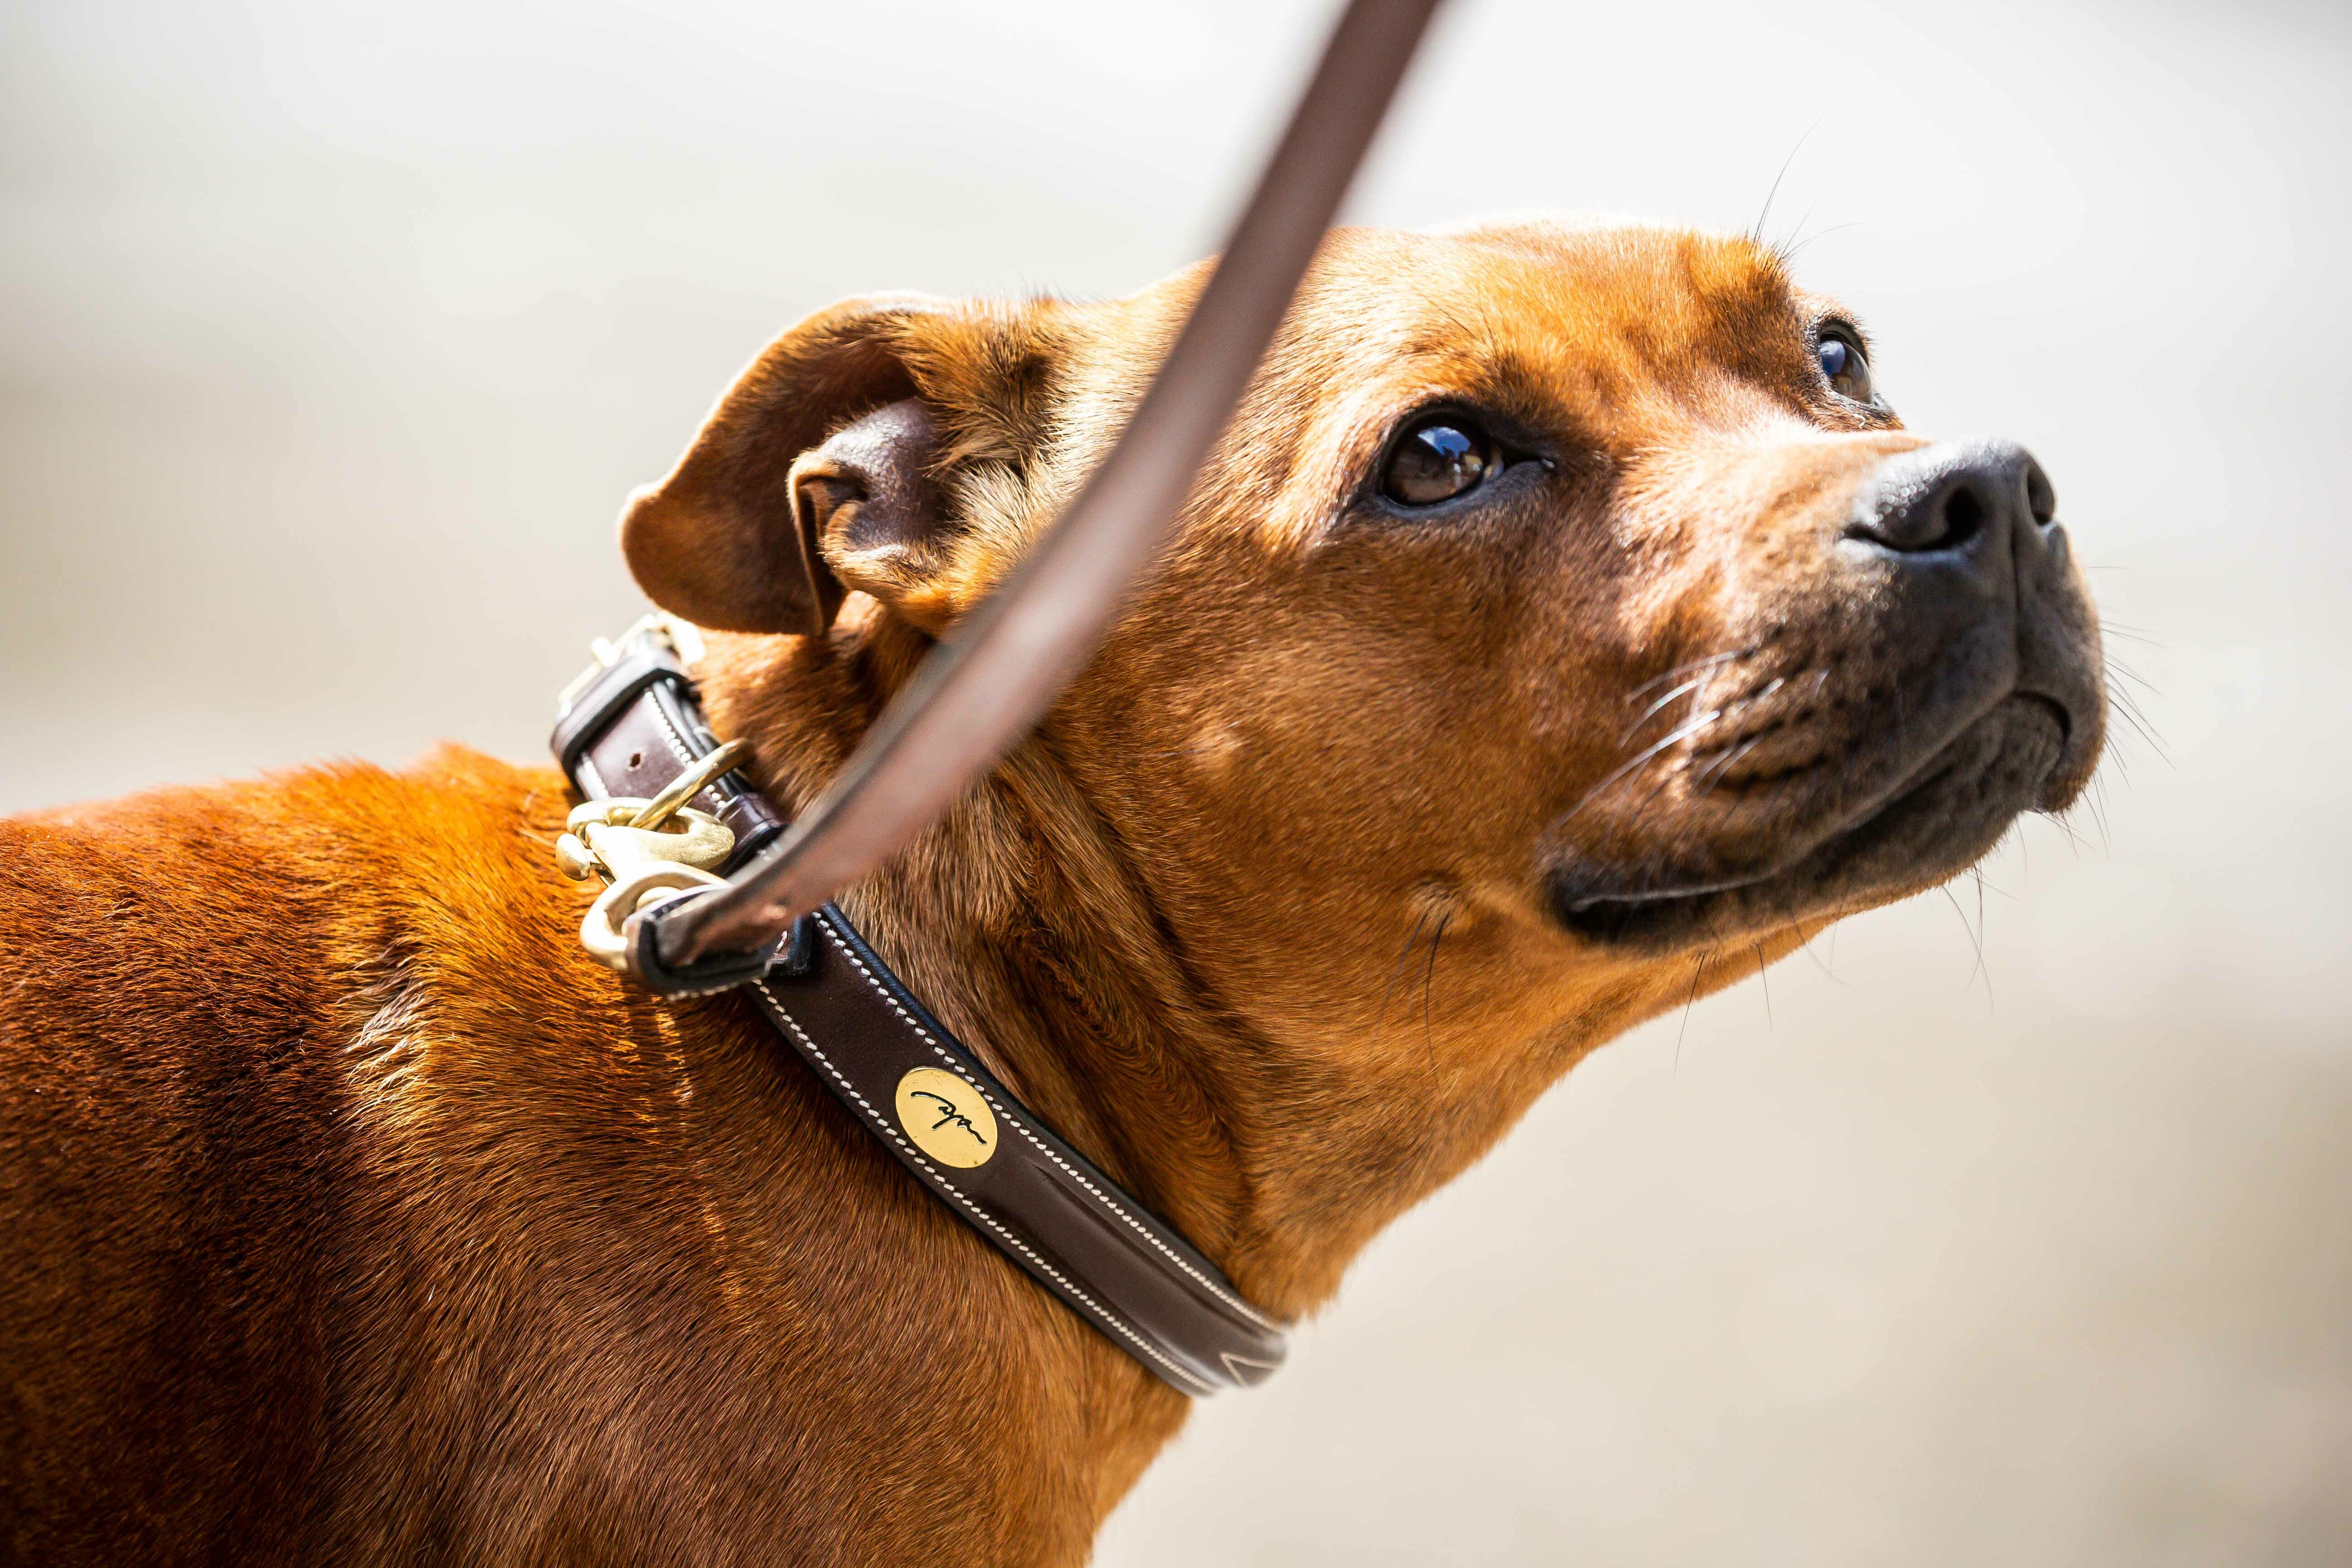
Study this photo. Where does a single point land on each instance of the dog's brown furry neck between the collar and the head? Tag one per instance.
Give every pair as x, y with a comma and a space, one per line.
1027, 927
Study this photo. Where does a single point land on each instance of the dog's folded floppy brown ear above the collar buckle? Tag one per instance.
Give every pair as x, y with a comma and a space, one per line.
737, 535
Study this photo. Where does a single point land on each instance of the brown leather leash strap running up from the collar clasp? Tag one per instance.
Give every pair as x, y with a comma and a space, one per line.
980, 692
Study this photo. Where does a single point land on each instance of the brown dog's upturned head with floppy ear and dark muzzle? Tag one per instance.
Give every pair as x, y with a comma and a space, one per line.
1565, 589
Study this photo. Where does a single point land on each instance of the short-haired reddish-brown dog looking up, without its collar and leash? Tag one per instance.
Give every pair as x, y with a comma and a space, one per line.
1563, 631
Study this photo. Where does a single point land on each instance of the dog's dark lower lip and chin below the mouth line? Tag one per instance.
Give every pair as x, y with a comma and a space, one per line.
1937, 824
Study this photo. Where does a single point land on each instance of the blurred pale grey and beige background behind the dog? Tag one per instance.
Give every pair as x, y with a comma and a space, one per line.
333, 337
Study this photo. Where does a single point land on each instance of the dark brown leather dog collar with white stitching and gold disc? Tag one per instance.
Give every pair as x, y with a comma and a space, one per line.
634, 728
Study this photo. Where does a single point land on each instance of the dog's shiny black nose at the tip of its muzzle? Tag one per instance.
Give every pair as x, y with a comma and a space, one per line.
1951, 497
